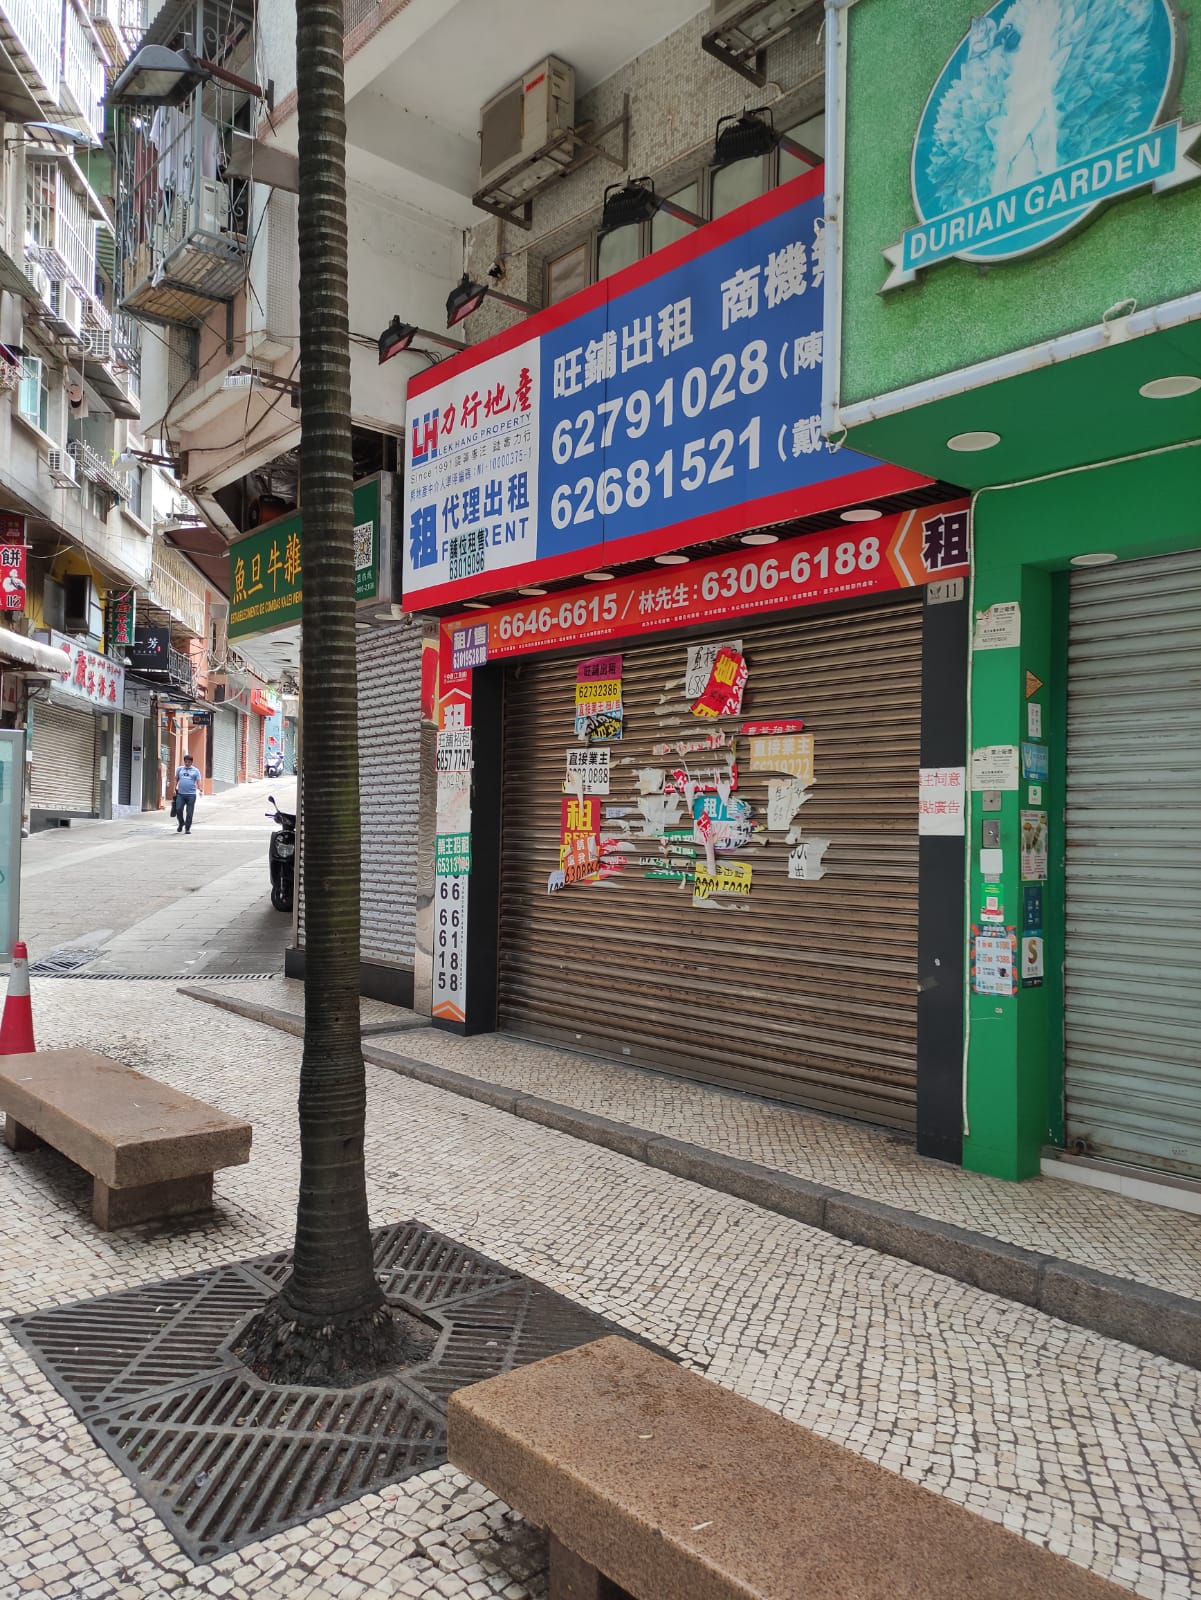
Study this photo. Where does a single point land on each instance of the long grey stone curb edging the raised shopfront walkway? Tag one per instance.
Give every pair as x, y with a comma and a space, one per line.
1151, 1319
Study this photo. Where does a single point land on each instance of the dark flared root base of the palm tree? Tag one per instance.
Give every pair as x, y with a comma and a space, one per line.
338, 1354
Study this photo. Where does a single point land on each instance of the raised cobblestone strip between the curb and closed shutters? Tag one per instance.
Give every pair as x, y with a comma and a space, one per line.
1095, 1228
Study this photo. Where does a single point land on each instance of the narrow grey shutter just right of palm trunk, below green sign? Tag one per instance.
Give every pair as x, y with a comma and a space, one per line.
389, 774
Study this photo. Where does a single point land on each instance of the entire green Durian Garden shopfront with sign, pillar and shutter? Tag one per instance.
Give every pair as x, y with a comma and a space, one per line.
1015, 290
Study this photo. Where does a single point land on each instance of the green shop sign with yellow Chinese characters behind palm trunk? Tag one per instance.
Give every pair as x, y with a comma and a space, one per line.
266, 569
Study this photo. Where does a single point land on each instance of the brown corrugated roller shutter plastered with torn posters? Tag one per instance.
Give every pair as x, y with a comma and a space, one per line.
808, 990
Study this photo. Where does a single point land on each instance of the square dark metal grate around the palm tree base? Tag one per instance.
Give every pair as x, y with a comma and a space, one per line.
226, 1458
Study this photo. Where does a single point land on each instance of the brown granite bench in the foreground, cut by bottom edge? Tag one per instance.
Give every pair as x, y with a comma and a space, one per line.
661, 1486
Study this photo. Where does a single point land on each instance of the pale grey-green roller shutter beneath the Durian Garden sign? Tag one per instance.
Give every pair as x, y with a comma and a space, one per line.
1133, 972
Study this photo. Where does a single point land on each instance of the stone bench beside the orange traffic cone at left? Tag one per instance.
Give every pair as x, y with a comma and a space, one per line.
150, 1150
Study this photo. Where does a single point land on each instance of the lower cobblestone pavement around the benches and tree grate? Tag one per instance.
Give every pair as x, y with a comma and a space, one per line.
1080, 1444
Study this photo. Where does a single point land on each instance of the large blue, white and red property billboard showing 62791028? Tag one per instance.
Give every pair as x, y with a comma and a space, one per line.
677, 401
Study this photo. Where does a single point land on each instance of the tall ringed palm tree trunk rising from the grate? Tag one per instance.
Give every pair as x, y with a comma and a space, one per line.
329, 1324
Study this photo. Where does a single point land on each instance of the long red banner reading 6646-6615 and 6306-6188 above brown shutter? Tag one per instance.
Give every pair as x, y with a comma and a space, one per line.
896, 553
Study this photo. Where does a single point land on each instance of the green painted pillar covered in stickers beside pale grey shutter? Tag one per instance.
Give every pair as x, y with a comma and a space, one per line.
1010, 1057
